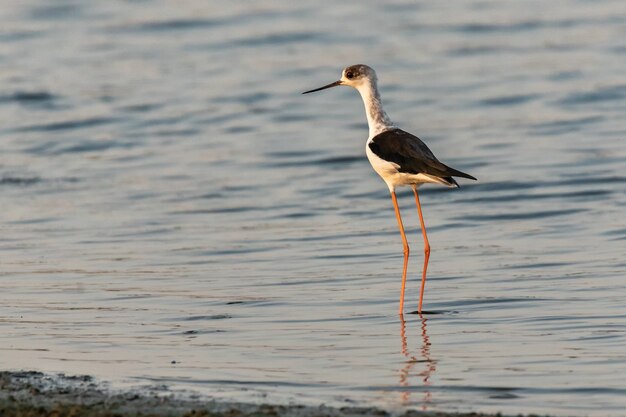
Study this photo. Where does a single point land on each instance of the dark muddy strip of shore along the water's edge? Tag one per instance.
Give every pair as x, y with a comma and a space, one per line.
30, 393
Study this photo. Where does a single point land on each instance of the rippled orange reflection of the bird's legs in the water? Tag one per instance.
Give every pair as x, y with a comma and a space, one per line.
430, 365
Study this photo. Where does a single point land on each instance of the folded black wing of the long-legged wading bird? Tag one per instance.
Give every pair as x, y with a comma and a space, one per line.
411, 154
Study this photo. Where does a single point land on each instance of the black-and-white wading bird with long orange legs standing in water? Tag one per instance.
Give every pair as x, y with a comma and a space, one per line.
397, 156
